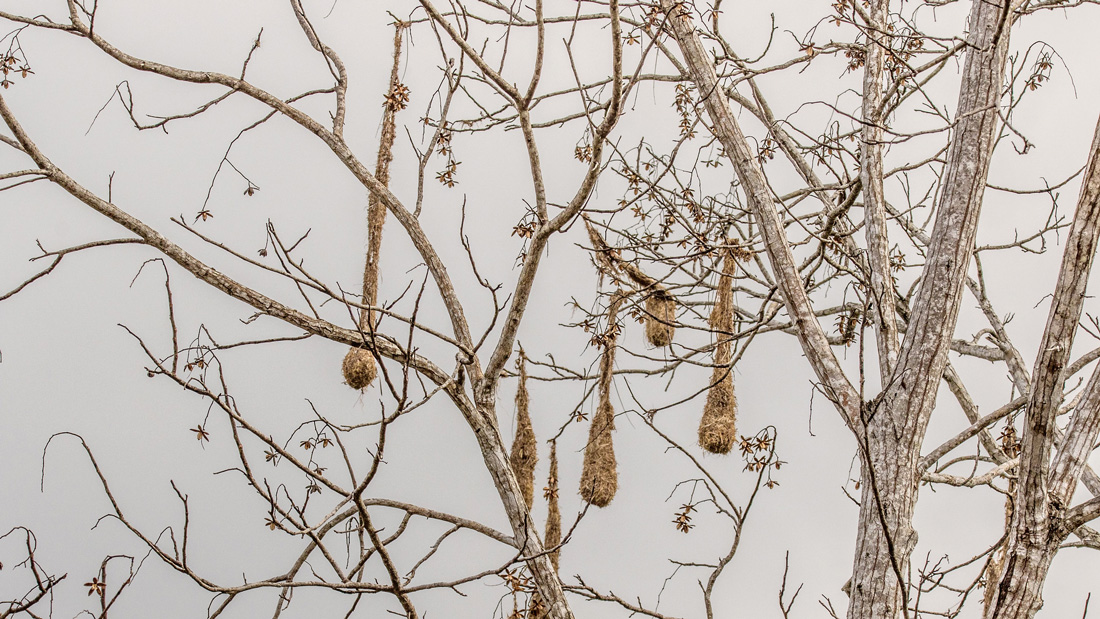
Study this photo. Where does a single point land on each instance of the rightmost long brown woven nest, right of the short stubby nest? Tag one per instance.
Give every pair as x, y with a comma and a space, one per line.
718, 429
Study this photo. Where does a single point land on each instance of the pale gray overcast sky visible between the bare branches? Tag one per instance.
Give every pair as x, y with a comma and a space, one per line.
69, 367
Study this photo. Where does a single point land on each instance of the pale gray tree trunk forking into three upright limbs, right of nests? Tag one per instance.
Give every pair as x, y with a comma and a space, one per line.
890, 428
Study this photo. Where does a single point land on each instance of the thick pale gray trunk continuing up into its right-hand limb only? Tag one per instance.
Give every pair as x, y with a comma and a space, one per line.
894, 425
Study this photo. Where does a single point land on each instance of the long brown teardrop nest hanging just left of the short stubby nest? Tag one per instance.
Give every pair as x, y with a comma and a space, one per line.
600, 473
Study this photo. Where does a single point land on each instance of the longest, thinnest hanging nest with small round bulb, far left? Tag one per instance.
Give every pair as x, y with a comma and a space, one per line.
359, 366
